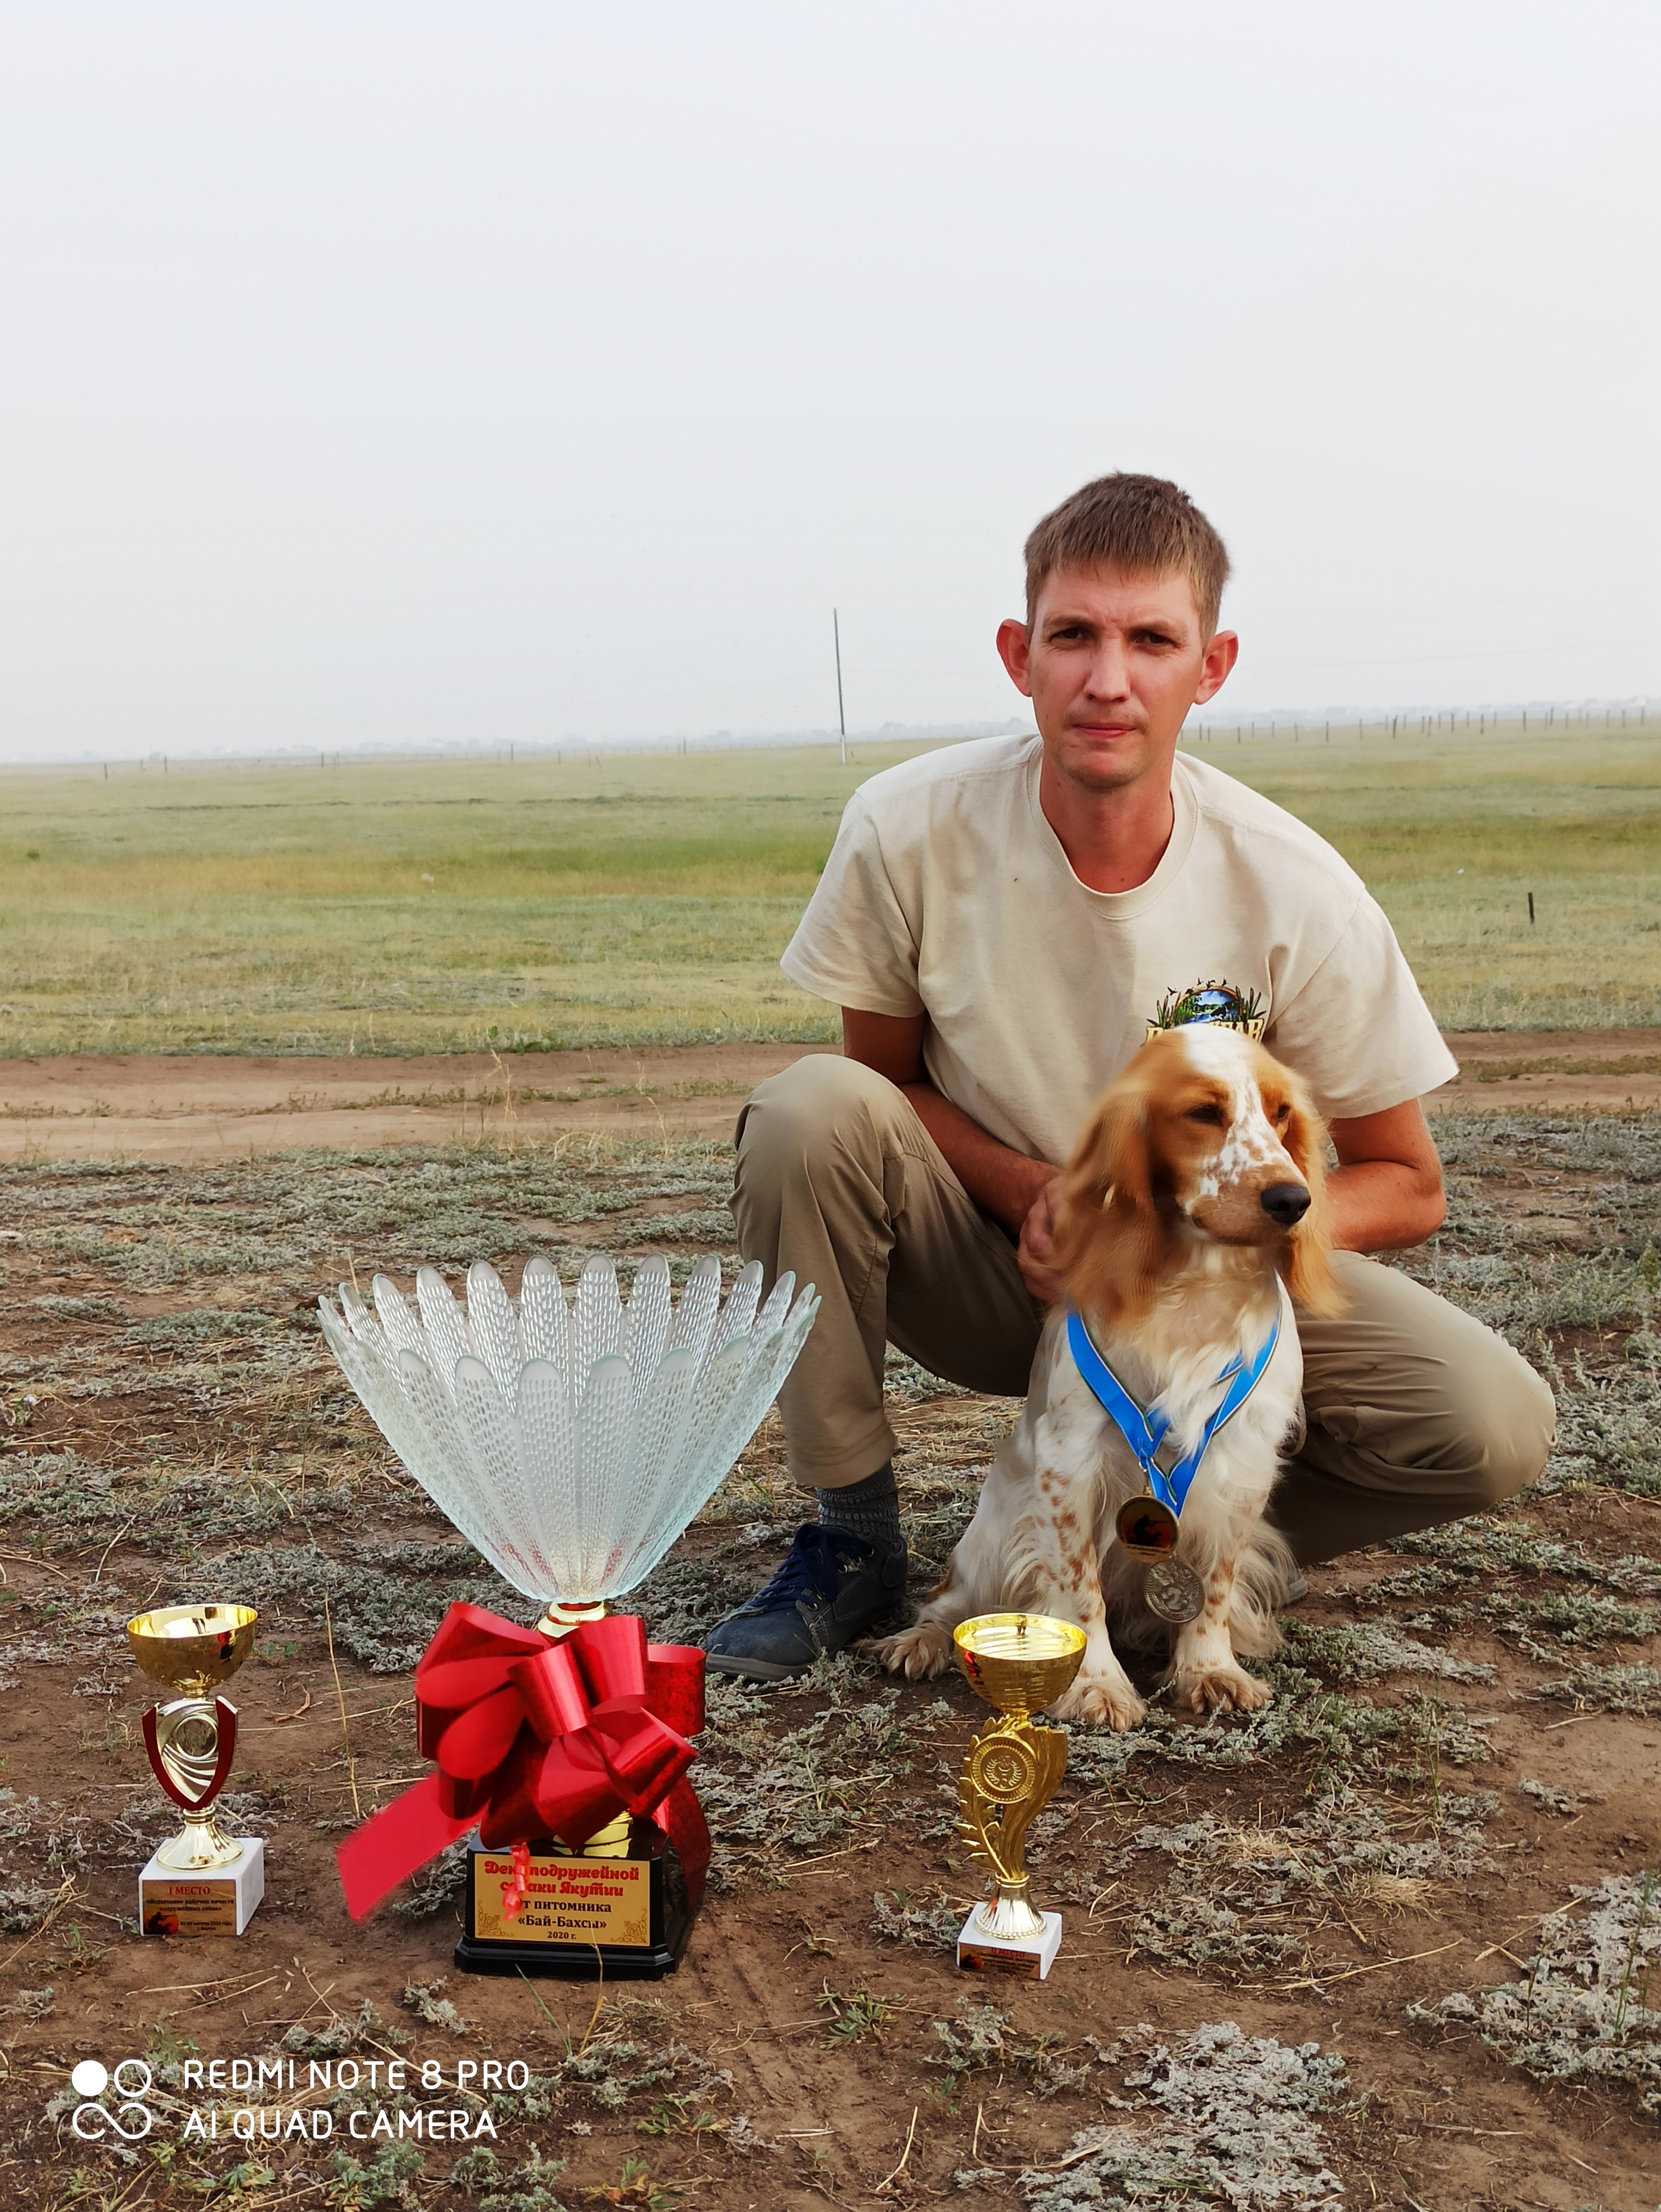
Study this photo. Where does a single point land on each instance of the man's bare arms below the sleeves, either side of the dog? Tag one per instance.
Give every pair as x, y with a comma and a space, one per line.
1386, 1193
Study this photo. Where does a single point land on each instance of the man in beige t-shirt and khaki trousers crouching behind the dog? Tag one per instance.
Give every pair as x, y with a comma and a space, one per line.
999, 924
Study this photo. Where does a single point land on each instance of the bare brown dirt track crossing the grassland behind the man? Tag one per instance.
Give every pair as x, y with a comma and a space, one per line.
213, 1107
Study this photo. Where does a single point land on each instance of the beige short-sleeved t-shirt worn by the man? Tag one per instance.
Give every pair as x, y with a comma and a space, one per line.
950, 895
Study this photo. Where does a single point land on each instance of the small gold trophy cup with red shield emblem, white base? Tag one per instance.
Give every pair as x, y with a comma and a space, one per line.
202, 1881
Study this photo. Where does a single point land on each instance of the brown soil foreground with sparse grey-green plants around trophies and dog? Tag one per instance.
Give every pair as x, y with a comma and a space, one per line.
1390, 1941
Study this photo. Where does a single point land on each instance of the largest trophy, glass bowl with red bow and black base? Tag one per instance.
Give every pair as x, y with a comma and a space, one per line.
572, 1443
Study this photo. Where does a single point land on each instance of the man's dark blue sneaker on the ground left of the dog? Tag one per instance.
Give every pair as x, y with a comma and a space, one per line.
830, 1592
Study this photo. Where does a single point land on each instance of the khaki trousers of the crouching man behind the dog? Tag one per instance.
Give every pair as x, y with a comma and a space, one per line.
1417, 1412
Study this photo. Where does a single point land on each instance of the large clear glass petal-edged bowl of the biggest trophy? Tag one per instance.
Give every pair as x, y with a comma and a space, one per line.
572, 1443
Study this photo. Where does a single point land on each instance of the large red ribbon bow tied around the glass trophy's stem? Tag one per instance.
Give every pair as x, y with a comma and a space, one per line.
541, 1740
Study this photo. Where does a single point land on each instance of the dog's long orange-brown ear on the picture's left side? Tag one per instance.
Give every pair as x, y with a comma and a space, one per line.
1109, 1240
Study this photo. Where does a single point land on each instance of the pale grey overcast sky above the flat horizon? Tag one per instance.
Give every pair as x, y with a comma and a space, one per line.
384, 373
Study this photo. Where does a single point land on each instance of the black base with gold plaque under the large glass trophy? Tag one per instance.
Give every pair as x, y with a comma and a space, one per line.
589, 1917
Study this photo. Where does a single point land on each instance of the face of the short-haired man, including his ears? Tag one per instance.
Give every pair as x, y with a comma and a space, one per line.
1111, 665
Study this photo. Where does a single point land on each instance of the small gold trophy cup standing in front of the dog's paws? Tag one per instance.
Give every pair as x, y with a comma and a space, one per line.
1018, 1662
